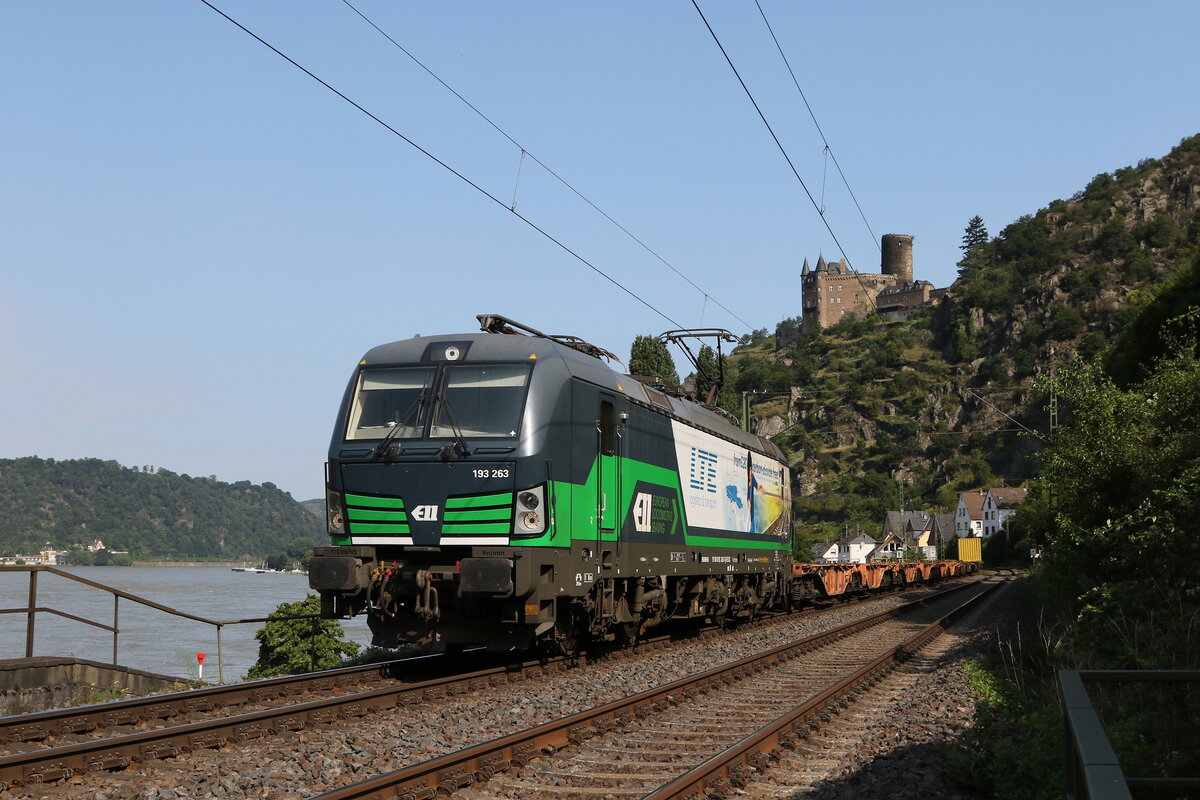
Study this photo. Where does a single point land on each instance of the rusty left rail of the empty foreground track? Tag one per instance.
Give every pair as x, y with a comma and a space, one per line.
460, 769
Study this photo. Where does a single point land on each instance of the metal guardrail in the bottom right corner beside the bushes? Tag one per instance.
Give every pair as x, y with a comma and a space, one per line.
1093, 769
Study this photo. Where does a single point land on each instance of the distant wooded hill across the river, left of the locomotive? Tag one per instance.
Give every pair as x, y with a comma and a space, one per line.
149, 514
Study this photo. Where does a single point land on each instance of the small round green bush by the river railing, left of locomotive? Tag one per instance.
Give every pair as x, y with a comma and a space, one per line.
289, 647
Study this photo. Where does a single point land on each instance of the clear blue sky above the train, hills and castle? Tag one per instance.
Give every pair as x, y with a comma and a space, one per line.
200, 242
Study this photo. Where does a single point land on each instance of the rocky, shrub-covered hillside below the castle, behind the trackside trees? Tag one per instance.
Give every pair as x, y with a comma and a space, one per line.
875, 414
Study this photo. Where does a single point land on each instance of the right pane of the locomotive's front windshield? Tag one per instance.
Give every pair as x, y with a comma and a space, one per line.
481, 401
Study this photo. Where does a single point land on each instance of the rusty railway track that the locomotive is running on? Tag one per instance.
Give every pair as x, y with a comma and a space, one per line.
57, 745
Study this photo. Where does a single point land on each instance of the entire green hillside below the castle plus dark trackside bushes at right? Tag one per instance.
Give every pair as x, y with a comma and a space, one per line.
1094, 302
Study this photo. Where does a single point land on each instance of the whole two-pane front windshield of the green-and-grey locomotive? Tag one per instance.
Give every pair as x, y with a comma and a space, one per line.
464, 401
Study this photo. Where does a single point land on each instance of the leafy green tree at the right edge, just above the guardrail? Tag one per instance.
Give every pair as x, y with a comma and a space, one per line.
1123, 545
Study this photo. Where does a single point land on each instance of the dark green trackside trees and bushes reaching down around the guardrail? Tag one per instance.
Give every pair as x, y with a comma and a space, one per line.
1118, 520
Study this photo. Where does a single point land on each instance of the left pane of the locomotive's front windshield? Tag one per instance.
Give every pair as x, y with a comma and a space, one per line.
388, 400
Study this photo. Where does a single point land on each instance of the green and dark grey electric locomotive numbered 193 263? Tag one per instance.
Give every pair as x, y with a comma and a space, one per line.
508, 490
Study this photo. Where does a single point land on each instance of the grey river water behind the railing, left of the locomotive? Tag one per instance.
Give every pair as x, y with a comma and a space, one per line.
149, 639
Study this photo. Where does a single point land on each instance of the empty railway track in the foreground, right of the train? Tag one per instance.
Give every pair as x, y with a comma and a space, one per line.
699, 736
